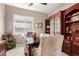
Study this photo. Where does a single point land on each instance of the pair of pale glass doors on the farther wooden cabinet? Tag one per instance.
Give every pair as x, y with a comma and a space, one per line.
55, 26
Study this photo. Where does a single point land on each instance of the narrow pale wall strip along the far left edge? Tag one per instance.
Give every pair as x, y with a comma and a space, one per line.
2, 11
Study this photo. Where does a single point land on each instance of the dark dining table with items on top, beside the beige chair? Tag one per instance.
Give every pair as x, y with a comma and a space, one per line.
32, 43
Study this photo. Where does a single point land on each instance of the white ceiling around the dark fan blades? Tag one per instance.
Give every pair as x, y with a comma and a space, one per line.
37, 6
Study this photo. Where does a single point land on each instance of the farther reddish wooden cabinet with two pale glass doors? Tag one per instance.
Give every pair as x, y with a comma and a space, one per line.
53, 23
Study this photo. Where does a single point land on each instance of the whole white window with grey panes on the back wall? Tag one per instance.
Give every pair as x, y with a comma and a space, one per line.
22, 24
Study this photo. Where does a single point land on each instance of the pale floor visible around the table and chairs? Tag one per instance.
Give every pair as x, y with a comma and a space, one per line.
19, 51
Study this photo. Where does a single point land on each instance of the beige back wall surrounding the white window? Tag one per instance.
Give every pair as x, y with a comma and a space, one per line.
10, 11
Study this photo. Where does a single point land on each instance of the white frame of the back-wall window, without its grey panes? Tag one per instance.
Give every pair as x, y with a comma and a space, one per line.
24, 19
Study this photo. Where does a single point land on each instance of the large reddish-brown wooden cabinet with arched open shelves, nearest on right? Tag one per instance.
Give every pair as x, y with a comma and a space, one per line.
71, 30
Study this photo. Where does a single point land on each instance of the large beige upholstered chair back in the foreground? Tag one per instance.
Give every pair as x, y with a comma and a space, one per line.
52, 45
